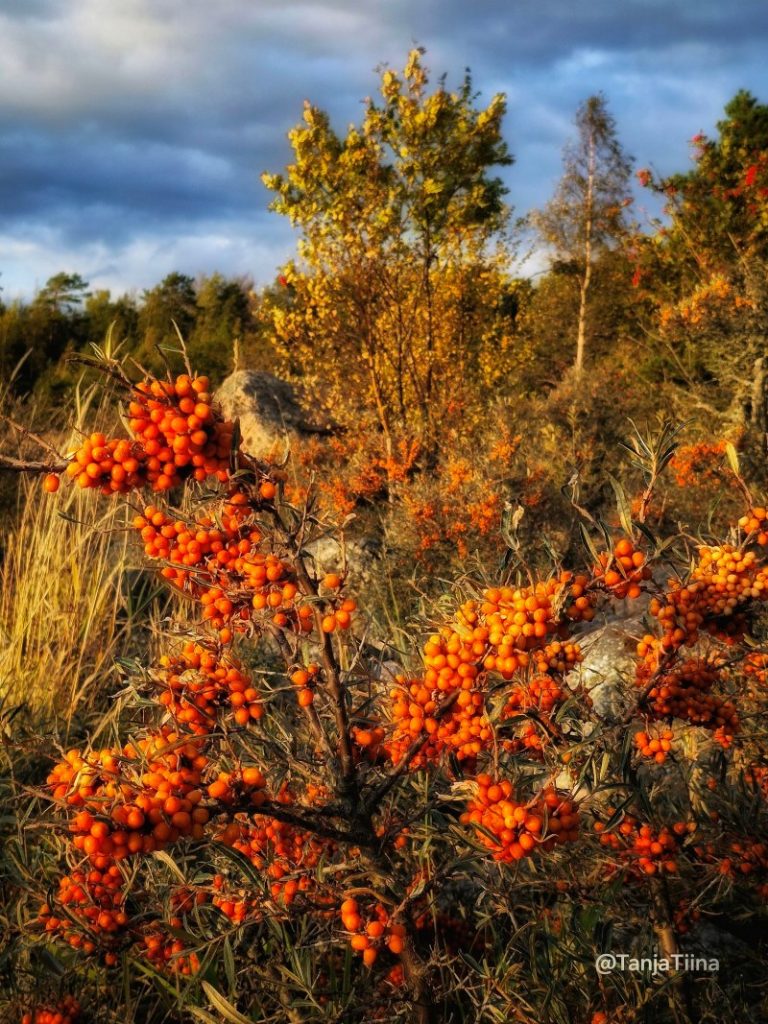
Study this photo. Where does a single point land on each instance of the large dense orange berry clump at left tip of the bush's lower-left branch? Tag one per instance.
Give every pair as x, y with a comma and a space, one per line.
135, 799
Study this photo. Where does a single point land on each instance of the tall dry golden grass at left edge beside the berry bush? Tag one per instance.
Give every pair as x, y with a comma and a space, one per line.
70, 601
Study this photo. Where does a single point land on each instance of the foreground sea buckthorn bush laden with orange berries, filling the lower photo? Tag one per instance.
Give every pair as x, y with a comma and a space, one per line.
273, 825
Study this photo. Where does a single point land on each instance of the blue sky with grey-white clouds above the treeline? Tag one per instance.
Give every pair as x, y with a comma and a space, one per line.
134, 133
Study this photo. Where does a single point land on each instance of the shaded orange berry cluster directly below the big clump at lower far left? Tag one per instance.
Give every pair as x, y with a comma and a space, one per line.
95, 910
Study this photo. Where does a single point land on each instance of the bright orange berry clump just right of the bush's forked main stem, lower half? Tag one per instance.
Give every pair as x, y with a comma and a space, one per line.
520, 830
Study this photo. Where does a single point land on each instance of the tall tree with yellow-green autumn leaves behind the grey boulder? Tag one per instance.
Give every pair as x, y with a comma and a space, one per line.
401, 297
